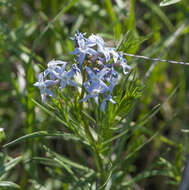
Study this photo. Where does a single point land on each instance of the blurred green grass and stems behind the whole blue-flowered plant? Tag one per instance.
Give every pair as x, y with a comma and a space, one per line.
33, 32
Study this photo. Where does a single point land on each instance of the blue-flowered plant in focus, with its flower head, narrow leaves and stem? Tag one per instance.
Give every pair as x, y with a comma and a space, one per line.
92, 98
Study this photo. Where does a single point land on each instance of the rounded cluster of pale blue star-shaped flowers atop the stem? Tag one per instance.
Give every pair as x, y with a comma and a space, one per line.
95, 60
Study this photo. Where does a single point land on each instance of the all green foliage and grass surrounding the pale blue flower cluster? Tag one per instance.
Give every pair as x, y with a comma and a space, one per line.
140, 142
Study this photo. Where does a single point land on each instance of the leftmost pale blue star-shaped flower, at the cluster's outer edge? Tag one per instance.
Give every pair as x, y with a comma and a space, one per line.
42, 85
